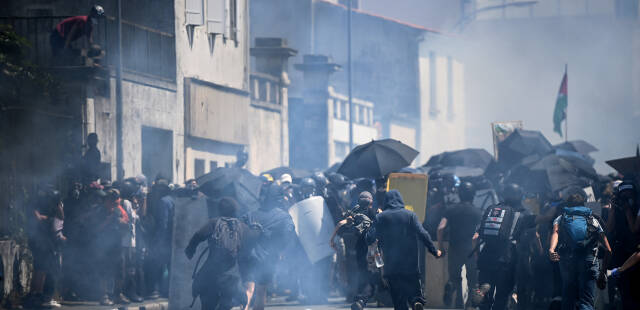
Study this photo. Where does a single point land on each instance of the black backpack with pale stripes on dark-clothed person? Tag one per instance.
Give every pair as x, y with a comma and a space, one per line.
498, 223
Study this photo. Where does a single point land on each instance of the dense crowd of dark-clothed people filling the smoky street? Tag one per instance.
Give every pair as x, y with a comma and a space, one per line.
111, 241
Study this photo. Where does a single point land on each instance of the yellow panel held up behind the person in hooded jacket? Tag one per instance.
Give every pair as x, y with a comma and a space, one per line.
413, 188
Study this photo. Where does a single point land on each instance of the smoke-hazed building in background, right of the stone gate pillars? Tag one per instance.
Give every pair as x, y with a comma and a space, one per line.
396, 66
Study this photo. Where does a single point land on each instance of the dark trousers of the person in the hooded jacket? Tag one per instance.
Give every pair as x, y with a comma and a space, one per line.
406, 290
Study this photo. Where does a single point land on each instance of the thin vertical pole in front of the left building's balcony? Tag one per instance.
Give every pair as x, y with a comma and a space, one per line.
119, 135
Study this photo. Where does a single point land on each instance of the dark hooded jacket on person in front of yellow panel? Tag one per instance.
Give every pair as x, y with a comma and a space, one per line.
398, 231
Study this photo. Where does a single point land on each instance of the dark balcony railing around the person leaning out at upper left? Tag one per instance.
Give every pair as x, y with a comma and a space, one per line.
145, 51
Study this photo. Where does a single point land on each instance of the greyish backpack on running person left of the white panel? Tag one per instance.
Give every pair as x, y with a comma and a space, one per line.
225, 238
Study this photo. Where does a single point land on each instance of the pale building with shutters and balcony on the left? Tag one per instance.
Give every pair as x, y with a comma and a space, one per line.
189, 101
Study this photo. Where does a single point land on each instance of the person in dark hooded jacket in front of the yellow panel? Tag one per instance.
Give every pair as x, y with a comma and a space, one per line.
398, 232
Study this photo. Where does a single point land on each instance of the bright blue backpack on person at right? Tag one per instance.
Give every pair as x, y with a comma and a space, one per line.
578, 228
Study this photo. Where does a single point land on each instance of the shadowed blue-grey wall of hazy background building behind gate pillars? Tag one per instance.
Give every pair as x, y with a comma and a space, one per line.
385, 52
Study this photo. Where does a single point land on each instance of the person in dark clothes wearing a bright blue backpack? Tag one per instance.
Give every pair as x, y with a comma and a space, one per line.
574, 243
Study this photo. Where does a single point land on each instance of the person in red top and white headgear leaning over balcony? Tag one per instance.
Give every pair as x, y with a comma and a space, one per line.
74, 28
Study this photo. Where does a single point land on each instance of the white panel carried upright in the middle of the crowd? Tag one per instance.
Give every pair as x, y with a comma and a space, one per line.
314, 227
